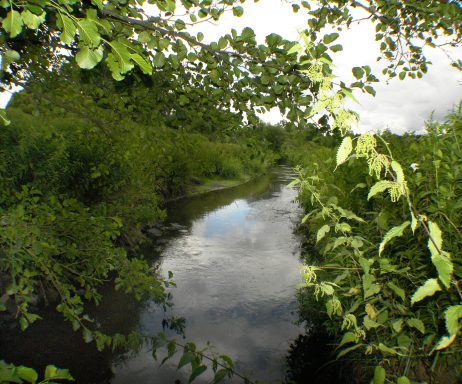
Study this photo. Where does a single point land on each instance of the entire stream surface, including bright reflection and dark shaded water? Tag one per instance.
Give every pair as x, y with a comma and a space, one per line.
236, 264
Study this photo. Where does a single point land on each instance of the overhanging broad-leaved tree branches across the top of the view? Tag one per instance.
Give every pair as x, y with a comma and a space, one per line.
235, 72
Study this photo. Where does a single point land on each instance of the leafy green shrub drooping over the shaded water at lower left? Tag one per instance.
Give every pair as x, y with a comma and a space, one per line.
43, 245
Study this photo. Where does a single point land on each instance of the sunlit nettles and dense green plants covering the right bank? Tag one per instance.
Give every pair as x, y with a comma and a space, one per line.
393, 298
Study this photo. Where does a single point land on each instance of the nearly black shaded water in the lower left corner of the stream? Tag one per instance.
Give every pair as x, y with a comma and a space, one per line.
52, 341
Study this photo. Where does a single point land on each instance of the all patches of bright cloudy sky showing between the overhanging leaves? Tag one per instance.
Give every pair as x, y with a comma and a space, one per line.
399, 105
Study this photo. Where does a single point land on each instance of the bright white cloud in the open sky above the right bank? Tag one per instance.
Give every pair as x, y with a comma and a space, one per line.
399, 105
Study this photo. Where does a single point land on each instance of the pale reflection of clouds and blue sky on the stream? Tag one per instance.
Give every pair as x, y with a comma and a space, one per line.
236, 270
